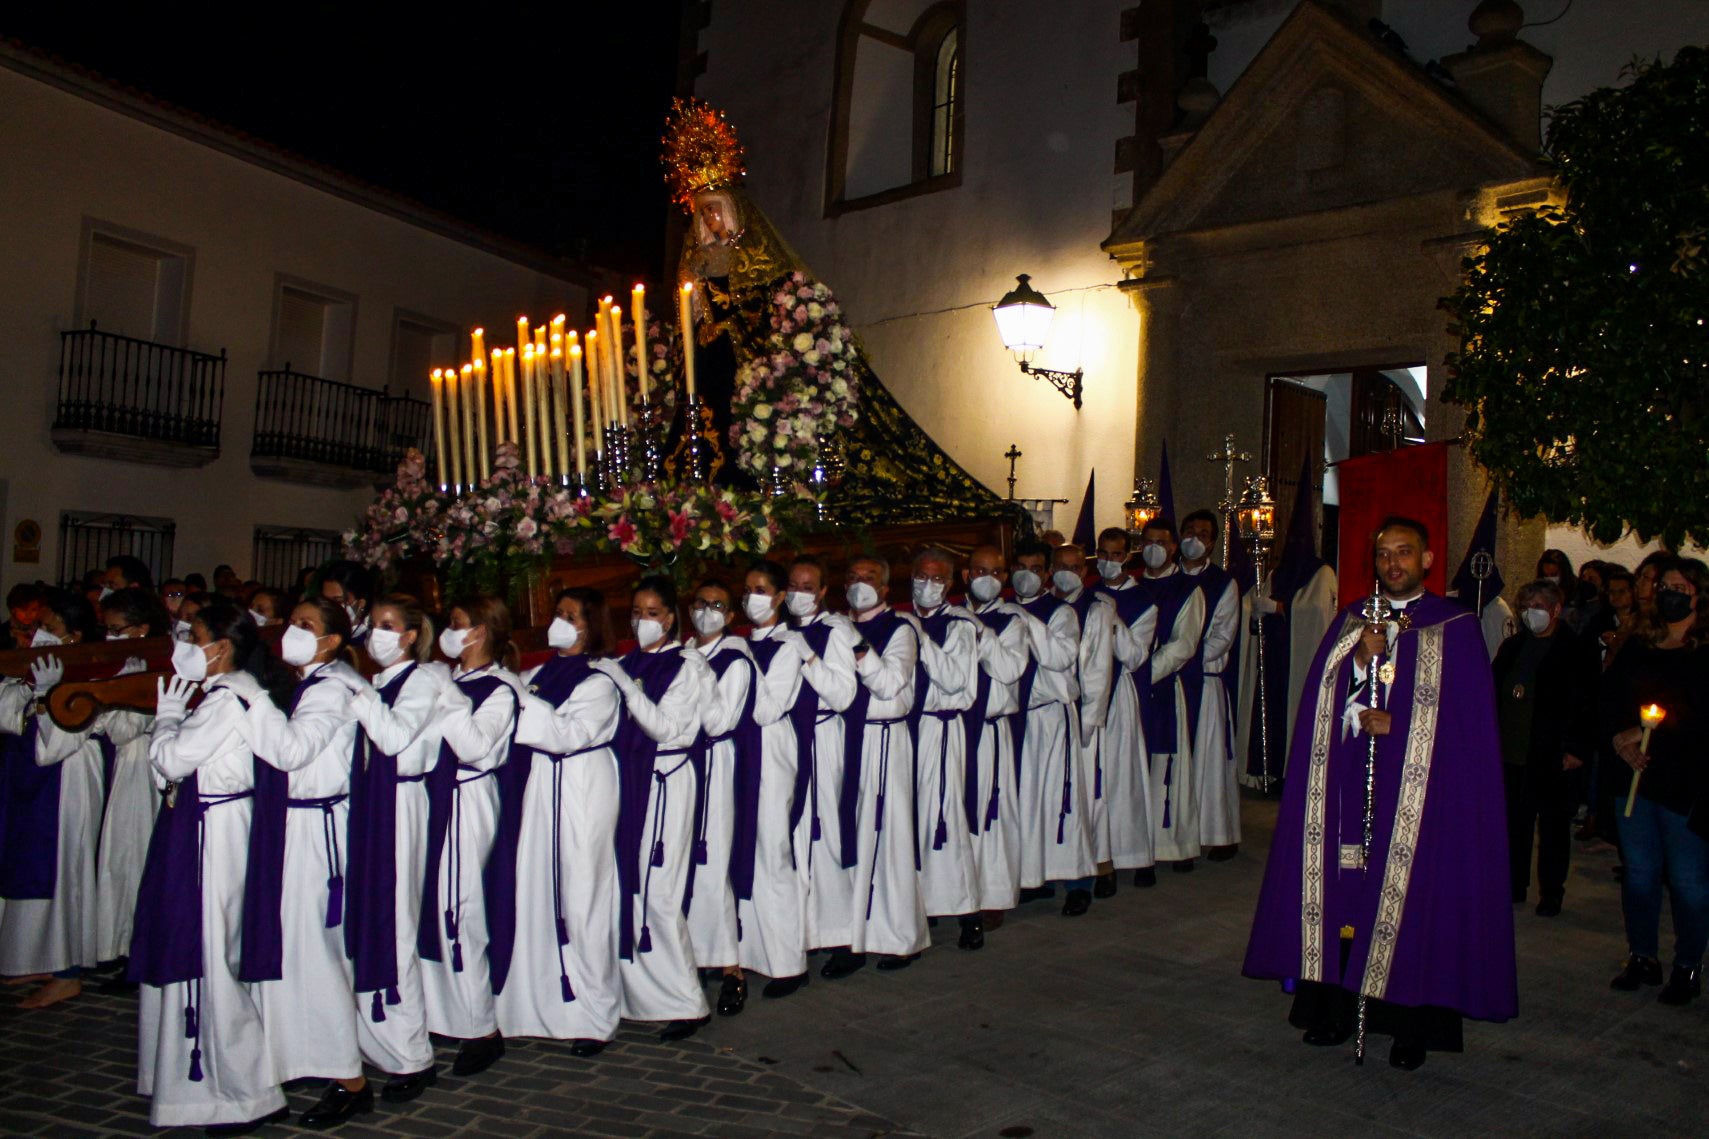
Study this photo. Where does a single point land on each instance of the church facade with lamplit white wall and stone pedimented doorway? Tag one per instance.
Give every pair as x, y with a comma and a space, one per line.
1245, 211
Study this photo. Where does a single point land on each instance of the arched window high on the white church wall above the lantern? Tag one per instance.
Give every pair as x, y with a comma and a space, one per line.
896, 124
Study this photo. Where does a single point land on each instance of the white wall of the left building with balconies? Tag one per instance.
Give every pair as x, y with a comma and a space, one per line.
68, 160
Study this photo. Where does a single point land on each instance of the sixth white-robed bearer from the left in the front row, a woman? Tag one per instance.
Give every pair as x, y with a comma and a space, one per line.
664, 688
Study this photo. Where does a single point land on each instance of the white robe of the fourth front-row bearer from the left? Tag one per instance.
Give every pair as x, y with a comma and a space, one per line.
461, 1003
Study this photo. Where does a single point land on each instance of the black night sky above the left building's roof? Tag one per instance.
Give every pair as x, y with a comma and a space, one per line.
539, 124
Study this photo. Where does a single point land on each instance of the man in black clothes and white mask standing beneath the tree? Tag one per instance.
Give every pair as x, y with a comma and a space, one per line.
1546, 709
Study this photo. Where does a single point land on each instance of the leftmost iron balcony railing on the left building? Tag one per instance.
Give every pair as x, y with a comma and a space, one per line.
139, 389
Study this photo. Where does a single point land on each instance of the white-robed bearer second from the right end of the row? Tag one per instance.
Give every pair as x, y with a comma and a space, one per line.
1170, 707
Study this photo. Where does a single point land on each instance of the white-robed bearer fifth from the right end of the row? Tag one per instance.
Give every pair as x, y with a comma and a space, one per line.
1050, 748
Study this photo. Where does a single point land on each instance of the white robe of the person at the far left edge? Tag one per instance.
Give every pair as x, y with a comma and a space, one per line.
59, 933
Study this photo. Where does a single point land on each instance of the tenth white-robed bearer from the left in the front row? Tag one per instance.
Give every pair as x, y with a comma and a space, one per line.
876, 815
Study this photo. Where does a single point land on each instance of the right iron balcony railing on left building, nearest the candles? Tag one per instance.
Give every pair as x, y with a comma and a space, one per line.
324, 422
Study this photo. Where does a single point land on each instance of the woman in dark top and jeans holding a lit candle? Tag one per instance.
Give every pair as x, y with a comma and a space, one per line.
1665, 668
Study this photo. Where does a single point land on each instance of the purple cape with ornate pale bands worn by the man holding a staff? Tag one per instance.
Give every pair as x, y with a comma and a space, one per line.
1431, 918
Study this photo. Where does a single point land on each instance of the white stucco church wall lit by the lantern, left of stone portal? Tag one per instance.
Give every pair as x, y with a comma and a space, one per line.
919, 276
